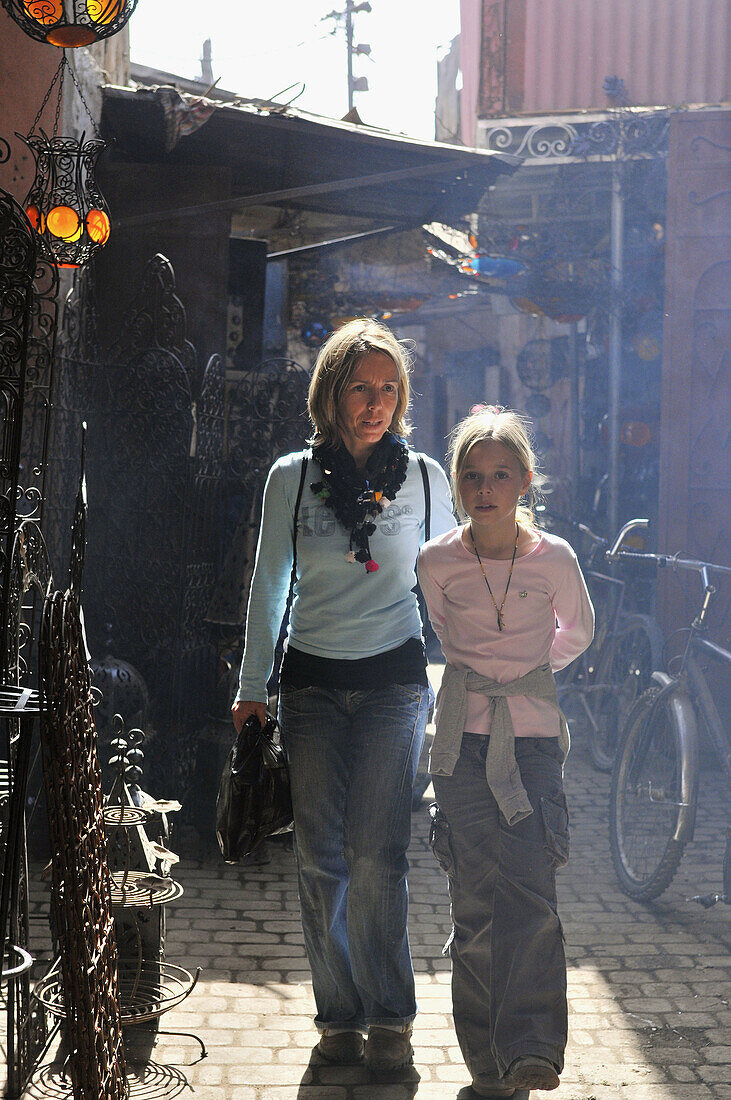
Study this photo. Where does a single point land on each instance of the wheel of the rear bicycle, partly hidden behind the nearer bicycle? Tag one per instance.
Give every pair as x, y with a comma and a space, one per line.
623, 675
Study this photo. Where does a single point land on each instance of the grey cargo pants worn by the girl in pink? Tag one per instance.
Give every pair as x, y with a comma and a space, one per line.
508, 963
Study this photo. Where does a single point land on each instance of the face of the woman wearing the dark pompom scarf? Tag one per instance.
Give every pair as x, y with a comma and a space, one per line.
369, 403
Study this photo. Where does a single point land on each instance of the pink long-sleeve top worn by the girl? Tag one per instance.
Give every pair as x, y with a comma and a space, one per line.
548, 620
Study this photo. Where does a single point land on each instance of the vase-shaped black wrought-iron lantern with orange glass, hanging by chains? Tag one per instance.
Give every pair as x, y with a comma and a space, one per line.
64, 205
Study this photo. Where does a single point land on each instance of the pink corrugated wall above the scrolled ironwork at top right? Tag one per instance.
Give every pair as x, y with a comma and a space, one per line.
530, 57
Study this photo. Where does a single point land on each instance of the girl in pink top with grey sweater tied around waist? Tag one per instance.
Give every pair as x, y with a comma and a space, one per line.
511, 608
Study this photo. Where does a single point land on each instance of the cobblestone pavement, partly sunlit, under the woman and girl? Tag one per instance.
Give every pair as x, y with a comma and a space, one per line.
649, 988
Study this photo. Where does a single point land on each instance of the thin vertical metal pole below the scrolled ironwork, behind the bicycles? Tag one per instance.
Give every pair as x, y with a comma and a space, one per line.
617, 261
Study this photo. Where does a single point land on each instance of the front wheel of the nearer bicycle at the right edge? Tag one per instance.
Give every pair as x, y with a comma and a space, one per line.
647, 799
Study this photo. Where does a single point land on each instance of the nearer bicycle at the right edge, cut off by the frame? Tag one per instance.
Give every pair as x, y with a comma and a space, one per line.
655, 791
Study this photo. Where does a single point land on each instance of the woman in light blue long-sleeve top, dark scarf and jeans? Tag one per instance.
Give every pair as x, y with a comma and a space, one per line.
355, 696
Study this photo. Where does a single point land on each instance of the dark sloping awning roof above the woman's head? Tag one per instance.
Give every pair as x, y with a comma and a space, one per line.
280, 157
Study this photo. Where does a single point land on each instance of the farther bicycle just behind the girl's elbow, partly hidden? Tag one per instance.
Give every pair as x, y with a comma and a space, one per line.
610, 676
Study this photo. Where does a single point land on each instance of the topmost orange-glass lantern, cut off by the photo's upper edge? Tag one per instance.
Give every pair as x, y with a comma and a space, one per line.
69, 24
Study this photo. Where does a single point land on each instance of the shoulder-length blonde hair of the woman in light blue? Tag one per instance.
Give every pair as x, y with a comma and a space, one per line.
336, 366
